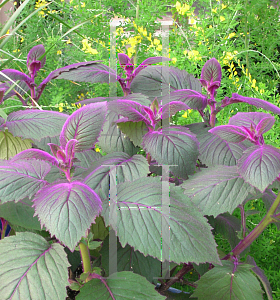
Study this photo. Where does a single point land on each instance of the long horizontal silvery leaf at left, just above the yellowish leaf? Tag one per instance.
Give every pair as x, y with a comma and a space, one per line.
35, 124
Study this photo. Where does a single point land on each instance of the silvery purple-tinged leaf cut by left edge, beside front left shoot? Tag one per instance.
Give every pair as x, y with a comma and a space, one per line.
21, 179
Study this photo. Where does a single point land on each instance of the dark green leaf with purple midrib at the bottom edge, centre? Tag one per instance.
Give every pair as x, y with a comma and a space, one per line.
118, 286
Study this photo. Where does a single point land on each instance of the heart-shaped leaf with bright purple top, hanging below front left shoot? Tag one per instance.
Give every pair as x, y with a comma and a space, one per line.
67, 210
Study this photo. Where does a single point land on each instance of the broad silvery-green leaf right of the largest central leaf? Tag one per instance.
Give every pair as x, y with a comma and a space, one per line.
217, 190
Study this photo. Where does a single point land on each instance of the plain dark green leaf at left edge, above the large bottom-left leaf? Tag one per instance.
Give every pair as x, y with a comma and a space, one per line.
20, 213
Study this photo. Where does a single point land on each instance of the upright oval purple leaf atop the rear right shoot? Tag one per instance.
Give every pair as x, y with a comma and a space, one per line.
211, 75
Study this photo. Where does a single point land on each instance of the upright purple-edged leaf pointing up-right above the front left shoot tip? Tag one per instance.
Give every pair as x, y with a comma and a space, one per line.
84, 125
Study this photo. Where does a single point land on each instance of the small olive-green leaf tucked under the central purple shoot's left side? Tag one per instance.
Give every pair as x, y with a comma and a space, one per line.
134, 130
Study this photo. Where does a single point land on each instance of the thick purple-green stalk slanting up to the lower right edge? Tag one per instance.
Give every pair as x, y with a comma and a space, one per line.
256, 232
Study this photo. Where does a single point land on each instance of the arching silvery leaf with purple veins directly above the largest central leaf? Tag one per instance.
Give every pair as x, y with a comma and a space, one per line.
127, 169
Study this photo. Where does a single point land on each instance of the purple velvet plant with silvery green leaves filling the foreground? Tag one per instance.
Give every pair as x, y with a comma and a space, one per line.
60, 191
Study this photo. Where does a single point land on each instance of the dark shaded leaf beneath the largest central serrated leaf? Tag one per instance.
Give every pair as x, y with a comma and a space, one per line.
130, 260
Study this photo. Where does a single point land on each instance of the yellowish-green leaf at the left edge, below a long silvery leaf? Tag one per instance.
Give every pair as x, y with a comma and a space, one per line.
11, 145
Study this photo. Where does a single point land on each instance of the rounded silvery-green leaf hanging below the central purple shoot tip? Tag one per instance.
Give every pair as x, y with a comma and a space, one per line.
175, 145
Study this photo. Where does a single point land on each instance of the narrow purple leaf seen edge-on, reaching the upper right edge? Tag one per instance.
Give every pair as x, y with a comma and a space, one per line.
235, 98
